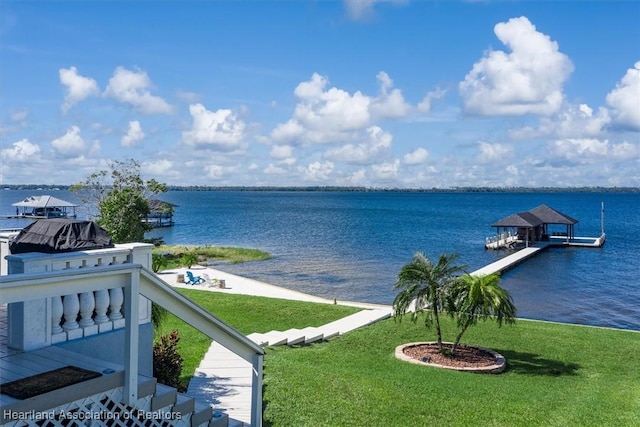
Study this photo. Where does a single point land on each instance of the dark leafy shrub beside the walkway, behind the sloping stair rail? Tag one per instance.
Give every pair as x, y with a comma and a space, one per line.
167, 362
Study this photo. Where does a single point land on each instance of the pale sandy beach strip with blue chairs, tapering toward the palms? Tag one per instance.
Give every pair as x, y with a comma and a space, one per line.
235, 284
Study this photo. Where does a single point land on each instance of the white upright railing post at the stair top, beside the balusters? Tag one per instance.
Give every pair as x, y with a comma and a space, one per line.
131, 304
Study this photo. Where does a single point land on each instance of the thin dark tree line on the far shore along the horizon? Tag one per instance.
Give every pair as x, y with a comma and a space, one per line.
596, 189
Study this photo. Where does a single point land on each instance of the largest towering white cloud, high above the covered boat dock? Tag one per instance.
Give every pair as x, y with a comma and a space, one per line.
528, 80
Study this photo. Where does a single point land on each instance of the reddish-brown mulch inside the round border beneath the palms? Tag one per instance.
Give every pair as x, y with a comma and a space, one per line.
465, 357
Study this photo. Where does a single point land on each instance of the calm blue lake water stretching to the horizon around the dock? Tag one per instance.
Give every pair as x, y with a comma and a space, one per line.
352, 245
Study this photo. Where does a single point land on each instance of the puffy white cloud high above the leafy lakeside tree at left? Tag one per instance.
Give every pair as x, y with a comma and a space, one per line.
132, 88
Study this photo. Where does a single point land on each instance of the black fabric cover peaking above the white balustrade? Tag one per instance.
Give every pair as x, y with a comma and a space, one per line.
60, 235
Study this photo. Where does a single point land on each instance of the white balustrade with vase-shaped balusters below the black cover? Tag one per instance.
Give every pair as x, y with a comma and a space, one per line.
69, 316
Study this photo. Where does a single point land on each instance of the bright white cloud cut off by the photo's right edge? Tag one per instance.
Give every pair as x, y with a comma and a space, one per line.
625, 99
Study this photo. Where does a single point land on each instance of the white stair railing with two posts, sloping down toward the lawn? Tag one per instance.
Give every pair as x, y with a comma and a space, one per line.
137, 283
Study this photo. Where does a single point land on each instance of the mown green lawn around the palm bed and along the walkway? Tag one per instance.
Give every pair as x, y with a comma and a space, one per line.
557, 375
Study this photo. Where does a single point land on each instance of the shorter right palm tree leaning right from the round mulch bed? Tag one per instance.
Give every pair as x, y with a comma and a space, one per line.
472, 298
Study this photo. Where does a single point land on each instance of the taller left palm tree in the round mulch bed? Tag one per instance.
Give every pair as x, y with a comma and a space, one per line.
423, 285
